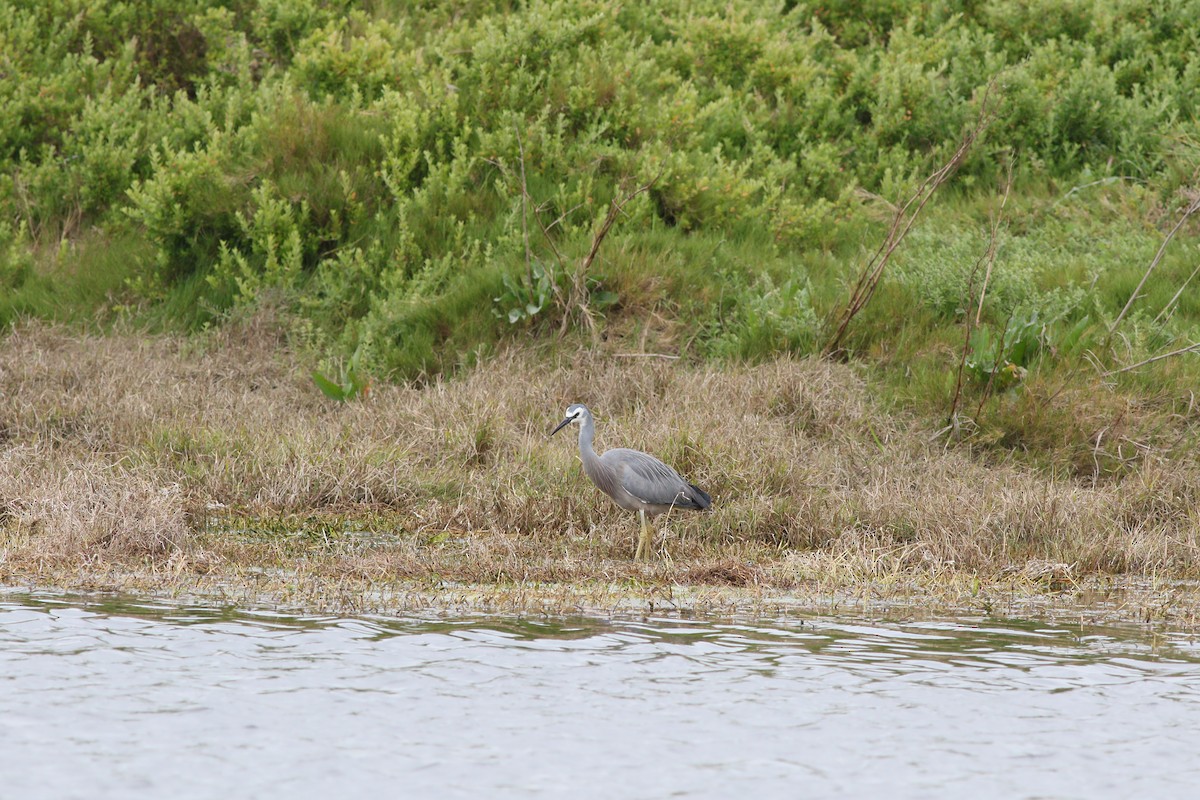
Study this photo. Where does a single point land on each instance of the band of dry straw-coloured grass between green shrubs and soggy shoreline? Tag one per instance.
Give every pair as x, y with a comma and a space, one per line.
211, 458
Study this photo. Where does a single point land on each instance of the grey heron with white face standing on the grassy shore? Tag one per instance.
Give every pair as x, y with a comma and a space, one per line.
637, 482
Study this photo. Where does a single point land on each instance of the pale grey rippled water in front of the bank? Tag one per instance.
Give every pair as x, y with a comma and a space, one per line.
121, 699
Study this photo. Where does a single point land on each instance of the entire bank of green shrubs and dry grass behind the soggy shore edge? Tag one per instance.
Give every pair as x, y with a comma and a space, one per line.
203, 203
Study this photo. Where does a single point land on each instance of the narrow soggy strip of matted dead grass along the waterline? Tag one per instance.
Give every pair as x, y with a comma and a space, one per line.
1091, 600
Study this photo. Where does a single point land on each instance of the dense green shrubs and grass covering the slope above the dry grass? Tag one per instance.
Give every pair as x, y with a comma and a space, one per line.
362, 166
